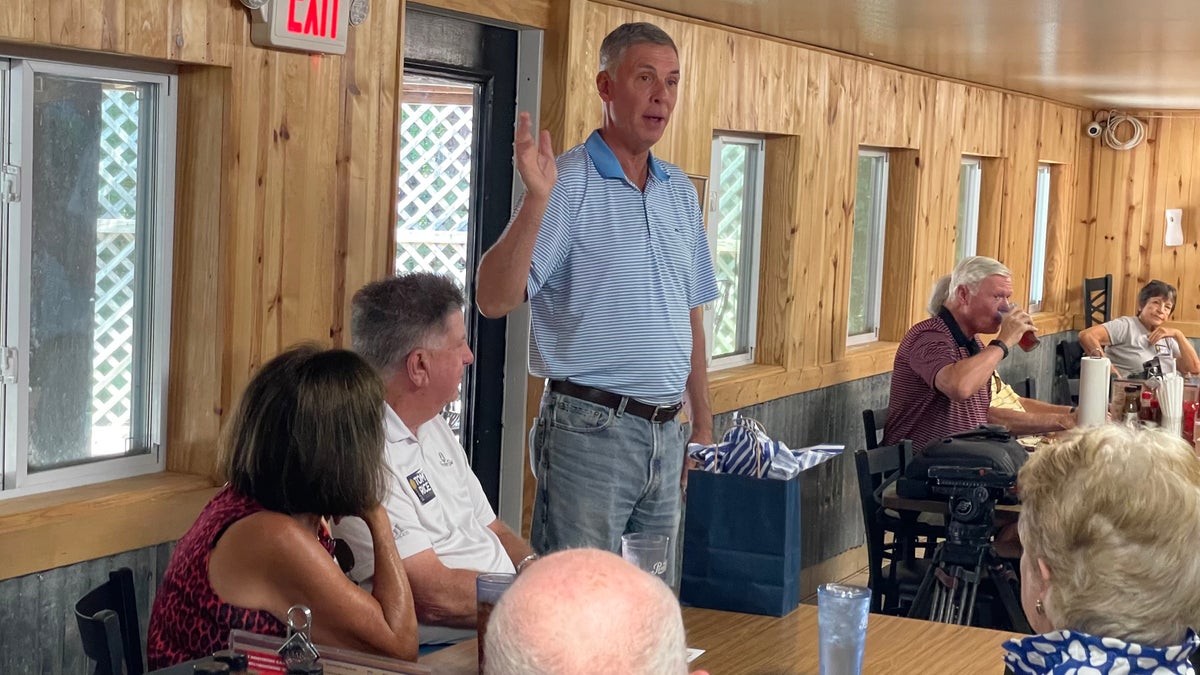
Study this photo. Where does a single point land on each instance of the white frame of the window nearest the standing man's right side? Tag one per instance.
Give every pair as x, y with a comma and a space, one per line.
751, 249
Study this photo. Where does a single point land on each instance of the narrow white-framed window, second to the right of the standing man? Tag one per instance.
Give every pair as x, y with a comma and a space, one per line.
867, 262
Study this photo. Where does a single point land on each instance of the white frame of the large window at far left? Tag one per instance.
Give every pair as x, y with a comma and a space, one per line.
17, 480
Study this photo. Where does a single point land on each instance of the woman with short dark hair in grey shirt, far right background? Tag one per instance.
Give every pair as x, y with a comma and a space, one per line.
1133, 341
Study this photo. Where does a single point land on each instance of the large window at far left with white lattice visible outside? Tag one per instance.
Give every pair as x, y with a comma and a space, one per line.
86, 273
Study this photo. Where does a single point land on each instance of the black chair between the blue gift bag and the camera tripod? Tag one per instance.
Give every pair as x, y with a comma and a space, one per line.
893, 587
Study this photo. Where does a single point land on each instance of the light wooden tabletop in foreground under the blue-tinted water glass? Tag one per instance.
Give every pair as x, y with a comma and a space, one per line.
747, 644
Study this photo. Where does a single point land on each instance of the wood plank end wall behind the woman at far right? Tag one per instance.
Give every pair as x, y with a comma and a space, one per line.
1123, 222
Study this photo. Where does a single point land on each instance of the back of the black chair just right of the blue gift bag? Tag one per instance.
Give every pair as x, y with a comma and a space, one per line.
874, 467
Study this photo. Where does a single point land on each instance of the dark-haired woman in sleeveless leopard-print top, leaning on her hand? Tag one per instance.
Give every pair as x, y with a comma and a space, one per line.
304, 446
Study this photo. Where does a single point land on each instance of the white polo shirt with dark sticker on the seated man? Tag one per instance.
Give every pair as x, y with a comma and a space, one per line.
435, 503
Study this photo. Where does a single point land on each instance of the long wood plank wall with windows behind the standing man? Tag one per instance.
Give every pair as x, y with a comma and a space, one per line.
817, 110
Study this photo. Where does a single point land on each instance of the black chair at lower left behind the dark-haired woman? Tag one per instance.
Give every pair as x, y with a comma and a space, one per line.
109, 626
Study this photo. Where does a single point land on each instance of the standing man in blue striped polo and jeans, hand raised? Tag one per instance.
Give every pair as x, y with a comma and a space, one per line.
609, 248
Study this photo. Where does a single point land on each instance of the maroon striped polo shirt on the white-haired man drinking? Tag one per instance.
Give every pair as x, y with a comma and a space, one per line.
917, 411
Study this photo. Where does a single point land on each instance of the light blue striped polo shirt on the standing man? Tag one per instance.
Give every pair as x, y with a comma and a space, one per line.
615, 276
